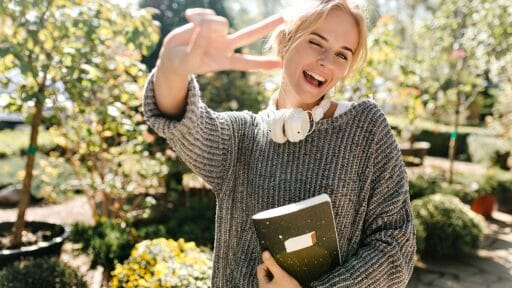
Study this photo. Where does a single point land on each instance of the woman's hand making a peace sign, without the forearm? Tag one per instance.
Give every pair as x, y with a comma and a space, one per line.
204, 45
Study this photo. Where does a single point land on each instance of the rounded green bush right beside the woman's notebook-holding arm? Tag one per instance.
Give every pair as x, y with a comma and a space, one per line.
451, 228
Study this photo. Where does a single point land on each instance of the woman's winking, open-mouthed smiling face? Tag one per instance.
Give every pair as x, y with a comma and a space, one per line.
315, 64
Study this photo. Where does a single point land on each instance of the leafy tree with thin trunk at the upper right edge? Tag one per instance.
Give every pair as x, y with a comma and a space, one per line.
466, 38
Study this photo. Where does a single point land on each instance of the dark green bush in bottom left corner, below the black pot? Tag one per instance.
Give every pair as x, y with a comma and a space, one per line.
40, 272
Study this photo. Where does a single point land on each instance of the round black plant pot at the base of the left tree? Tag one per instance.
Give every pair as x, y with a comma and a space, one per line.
51, 247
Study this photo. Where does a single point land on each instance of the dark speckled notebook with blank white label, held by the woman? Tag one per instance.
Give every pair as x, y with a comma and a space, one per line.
301, 237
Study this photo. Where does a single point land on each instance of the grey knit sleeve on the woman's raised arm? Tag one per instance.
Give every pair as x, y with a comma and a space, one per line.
201, 138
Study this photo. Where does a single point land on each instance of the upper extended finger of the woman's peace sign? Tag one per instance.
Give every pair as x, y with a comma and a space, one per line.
256, 31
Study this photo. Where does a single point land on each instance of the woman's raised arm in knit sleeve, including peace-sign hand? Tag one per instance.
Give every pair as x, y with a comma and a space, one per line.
172, 105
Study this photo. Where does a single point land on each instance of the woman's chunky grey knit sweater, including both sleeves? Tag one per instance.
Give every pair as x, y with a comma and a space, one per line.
353, 158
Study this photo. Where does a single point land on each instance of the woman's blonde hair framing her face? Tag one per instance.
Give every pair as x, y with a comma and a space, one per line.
303, 22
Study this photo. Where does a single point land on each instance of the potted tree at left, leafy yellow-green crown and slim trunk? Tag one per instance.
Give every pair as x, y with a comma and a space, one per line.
70, 53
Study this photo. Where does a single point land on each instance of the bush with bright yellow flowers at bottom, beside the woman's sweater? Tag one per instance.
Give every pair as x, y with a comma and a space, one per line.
164, 263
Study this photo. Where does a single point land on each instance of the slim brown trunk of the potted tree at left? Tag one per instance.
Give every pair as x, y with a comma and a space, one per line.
27, 181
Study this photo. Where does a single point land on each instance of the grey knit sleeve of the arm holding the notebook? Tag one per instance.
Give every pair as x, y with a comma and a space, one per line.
386, 255
